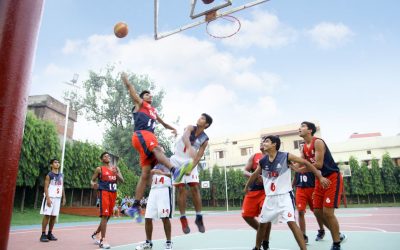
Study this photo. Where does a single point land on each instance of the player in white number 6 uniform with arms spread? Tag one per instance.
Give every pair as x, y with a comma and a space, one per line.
279, 202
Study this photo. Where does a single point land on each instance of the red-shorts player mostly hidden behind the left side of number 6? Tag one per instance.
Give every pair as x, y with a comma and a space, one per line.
254, 198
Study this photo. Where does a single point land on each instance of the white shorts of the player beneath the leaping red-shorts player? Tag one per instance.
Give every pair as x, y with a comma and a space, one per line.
159, 203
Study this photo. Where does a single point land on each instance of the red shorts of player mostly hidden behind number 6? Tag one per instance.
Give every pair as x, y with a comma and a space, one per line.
252, 203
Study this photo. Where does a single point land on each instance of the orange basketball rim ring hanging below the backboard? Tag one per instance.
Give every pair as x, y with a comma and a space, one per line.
223, 27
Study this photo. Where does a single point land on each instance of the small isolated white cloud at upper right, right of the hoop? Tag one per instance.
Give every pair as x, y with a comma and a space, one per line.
330, 35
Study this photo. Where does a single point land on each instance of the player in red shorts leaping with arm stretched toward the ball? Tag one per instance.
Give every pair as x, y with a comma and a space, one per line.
145, 142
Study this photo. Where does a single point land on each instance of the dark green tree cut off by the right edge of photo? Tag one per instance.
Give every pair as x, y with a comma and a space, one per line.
388, 176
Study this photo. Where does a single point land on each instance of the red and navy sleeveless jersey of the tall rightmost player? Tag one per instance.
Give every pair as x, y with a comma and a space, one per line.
329, 166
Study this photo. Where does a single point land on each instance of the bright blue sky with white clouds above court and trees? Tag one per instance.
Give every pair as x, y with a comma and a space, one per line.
335, 62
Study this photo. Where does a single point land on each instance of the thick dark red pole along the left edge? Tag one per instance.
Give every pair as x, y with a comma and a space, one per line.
19, 26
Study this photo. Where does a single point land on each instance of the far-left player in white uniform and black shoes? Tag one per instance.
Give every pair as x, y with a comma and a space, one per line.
53, 191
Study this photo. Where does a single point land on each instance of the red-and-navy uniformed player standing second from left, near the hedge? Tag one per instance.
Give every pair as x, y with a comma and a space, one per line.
107, 177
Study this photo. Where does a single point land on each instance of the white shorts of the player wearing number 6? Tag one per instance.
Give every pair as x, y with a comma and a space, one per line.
278, 208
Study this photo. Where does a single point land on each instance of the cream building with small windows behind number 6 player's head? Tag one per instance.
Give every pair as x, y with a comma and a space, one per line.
235, 150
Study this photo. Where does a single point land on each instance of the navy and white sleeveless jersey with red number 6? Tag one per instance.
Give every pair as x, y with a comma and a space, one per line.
276, 174
